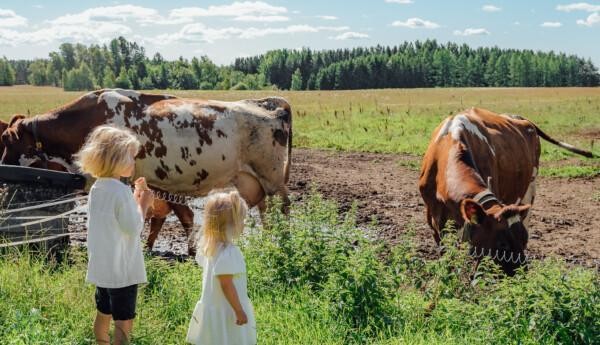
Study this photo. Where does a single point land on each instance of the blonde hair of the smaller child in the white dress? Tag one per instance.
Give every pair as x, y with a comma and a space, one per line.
224, 214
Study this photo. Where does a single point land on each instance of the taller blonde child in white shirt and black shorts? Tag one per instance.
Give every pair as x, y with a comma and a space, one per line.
115, 222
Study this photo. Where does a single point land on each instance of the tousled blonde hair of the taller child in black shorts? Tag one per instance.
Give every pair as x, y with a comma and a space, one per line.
106, 150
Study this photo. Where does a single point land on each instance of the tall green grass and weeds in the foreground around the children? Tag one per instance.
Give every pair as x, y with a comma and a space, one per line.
316, 278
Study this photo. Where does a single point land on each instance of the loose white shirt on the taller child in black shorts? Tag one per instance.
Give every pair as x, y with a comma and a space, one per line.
115, 257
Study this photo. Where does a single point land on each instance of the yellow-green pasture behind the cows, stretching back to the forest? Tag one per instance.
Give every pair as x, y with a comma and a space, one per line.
395, 120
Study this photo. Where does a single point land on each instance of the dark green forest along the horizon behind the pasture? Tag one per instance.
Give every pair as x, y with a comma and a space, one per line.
419, 64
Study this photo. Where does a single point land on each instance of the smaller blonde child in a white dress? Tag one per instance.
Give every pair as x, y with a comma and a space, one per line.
224, 313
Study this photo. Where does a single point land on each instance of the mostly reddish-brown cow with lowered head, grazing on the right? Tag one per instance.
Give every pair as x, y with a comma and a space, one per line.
478, 167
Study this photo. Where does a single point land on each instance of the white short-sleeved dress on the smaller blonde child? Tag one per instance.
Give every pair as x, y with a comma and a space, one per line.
213, 319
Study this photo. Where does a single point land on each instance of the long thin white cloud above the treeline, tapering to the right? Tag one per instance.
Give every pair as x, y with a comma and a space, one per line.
198, 32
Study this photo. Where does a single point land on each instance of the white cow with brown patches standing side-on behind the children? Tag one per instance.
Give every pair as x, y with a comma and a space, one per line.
189, 146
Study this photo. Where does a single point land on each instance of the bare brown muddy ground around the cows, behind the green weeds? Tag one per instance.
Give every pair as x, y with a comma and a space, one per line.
565, 218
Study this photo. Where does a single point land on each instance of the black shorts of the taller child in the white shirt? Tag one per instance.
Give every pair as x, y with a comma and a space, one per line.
120, 303
